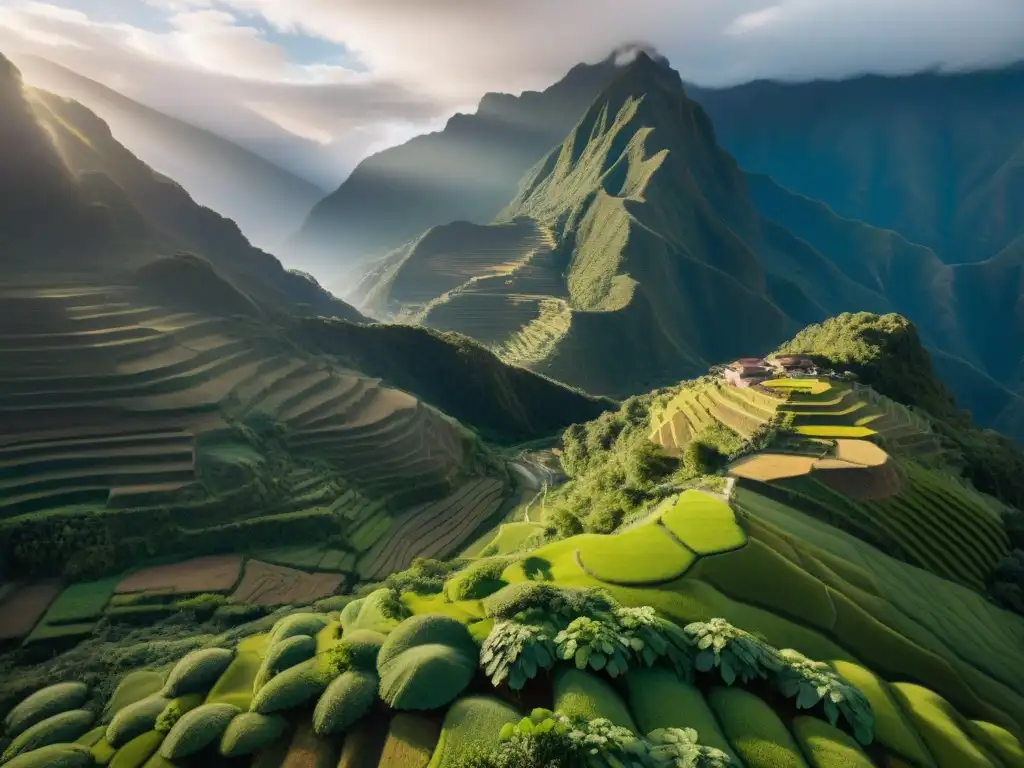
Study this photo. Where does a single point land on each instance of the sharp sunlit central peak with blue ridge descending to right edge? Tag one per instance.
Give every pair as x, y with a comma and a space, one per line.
641, 240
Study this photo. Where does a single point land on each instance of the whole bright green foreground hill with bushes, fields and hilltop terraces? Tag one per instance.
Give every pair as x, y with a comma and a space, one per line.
724, 608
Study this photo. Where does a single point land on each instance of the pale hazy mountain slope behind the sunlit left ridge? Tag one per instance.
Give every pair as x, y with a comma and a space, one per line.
268, 202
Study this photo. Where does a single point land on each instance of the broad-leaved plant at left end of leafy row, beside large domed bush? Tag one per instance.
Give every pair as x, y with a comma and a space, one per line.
518, 652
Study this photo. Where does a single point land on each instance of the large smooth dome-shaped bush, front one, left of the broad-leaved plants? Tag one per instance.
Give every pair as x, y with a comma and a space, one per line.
426, 677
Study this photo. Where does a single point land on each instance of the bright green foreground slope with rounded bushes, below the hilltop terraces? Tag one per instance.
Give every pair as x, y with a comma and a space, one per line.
449, 686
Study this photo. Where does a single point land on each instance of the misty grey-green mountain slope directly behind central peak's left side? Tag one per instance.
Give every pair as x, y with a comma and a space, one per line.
467, 172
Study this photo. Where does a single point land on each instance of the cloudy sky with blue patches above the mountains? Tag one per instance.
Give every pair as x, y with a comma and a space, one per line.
317, 86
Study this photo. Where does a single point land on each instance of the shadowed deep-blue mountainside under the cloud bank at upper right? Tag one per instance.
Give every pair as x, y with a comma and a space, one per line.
937, 158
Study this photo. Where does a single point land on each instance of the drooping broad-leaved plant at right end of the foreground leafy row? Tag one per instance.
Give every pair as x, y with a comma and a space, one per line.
813, 682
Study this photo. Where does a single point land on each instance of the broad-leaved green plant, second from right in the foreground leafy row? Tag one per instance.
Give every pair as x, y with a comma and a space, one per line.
736, 654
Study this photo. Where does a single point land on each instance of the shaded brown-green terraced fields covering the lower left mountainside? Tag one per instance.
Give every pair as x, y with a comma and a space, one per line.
114, 407
